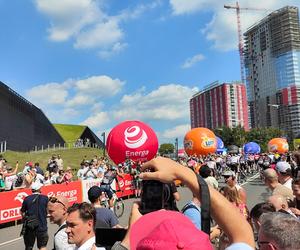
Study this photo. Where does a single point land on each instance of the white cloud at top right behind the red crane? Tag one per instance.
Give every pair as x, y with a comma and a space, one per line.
222, 28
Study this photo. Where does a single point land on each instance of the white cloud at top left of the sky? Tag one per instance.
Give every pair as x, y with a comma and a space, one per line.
87, 23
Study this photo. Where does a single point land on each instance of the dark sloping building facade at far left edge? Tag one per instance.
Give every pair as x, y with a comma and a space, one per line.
23, 126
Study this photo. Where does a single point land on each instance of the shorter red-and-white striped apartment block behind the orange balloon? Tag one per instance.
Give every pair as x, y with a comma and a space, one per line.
220, 105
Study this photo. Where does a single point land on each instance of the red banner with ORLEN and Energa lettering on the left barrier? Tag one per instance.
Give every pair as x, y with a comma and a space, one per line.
11, 202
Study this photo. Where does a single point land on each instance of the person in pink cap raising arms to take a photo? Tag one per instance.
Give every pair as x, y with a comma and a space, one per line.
163, 230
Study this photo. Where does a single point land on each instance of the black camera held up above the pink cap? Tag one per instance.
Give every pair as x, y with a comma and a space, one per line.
157, 195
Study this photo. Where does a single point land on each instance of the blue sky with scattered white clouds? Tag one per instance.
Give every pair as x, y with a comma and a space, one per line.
97, 62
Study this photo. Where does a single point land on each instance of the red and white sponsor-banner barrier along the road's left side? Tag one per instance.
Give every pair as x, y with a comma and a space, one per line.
76, 191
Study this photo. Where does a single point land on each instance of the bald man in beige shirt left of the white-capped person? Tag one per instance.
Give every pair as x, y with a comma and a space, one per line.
271, 181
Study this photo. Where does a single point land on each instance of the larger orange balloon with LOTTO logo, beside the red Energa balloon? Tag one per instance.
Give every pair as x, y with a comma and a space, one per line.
200, 141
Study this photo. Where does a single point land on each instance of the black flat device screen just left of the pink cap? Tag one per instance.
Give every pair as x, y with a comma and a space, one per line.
106, 237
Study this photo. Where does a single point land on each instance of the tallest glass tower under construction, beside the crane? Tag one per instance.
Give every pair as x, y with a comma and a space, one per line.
272, 60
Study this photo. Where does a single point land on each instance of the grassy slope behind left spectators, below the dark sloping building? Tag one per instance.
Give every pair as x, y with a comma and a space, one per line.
71, 157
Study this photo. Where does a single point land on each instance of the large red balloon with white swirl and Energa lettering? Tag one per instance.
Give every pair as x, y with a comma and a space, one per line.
131, 140
